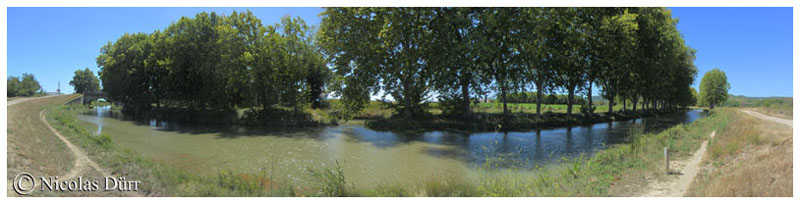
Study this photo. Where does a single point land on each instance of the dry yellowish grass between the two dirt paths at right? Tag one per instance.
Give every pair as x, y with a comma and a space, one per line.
751, 158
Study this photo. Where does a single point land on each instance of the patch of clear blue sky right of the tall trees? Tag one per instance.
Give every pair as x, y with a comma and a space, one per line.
753, 46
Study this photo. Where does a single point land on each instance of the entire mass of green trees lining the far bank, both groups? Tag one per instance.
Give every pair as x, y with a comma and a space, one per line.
411, 55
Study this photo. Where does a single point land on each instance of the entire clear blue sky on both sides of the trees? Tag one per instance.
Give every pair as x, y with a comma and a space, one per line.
752, 45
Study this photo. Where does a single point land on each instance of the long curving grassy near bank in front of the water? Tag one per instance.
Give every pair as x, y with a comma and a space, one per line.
617, 170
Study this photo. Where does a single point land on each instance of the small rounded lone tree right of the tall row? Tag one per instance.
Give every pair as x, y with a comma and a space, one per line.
714, 88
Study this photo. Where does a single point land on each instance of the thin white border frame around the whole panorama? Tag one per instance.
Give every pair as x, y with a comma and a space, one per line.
367, 3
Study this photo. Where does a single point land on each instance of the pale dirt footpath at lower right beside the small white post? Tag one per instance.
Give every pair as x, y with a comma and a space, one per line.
677, 183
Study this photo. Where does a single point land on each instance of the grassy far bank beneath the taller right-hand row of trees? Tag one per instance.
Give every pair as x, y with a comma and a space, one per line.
488, 117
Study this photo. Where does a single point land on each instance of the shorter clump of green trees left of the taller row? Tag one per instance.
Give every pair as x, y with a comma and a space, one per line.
215, 62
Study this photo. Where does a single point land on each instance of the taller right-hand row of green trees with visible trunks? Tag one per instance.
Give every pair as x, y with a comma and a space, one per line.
412, 54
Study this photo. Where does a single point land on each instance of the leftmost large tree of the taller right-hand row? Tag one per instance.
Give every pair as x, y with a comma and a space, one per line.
379, 49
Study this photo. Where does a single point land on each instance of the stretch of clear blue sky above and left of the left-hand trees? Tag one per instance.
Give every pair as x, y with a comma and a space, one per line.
52, 43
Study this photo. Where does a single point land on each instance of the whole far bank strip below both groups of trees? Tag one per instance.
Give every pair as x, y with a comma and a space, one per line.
486, 117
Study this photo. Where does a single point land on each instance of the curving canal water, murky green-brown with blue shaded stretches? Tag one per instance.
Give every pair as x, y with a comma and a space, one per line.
368, 157
